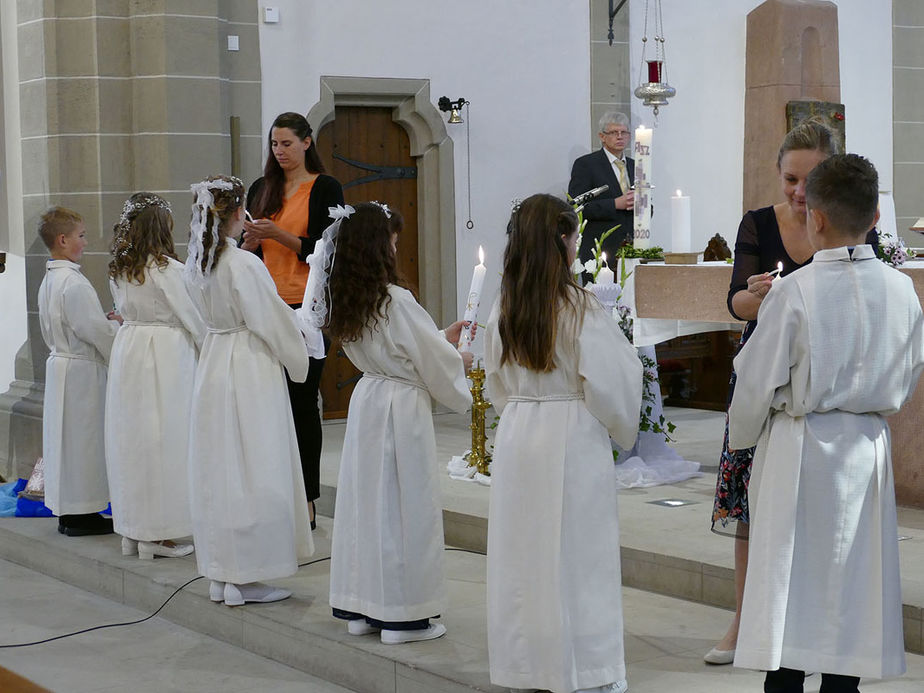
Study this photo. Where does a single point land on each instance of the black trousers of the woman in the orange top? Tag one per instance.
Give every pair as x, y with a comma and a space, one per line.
303, 397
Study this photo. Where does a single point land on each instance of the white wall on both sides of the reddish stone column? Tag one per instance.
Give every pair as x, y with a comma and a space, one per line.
698, 143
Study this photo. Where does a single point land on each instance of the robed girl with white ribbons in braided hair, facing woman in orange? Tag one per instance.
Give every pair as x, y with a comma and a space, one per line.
249, 511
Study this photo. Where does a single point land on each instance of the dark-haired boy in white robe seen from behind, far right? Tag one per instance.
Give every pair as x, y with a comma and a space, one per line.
839, 345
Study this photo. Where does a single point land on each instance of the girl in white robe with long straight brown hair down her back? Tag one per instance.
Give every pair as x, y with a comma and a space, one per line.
564, 379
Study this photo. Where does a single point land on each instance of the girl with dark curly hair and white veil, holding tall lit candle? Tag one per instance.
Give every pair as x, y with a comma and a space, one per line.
386, 572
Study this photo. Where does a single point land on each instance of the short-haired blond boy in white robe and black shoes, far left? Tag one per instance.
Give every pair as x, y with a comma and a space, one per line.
79, 336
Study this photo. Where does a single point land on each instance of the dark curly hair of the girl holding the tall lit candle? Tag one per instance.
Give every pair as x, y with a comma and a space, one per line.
363, 268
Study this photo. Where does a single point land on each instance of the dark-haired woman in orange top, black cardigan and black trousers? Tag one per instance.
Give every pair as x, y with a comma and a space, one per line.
289, 204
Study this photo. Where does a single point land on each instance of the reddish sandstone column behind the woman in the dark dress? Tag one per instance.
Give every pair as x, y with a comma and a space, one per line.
792, 53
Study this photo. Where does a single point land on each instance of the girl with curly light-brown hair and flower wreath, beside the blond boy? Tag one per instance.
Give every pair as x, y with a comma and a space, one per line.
149, 394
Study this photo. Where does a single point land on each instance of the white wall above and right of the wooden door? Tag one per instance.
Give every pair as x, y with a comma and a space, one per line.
523, 64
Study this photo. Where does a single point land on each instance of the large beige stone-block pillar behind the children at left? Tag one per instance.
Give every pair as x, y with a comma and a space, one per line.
117, 97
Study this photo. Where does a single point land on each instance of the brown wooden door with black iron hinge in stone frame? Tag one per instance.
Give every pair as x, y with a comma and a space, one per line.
370, 155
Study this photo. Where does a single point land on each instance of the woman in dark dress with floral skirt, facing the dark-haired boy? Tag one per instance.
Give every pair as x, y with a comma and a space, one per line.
767, 238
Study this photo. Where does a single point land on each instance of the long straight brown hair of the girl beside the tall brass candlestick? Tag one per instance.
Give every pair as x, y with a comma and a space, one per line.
537, 283
